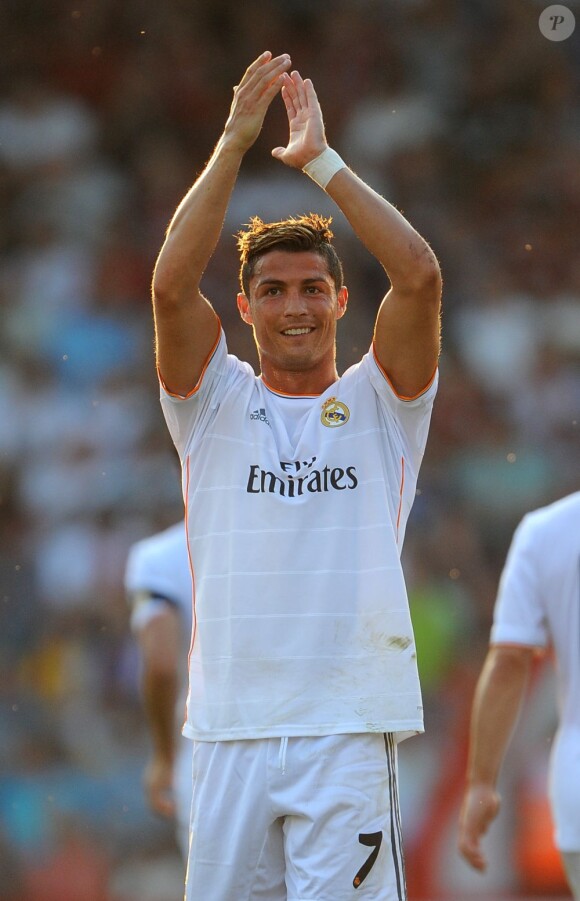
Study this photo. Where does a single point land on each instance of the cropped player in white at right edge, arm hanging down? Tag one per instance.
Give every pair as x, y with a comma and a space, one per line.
538, 604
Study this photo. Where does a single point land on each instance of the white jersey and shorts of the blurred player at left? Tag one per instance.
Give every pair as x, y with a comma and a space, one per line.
157, 574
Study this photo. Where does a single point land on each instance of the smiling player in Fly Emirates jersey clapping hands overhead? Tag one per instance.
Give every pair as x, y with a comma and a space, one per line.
298, 485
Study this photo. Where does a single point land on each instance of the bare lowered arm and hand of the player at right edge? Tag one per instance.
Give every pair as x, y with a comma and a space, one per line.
498, 697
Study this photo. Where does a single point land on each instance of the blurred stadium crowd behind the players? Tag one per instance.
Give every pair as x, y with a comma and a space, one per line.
467, 118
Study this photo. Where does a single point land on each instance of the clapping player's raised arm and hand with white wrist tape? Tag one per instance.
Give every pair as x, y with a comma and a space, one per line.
407, 328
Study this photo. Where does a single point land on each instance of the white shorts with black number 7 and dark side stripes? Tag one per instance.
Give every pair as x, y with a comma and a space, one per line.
296, 819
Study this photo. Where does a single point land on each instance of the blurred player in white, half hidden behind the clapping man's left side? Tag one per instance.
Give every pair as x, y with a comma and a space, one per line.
159, 589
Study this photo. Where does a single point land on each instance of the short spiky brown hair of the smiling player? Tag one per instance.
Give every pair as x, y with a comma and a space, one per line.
295, 234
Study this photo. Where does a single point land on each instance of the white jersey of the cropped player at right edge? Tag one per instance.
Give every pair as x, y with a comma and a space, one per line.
538, 604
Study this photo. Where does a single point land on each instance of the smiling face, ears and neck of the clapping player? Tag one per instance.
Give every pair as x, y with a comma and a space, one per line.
293, 308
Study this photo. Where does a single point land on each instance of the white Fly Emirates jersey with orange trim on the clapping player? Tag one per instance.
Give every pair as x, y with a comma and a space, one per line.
296, 512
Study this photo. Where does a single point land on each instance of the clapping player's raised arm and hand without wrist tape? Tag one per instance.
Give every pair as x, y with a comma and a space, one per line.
186, 325
